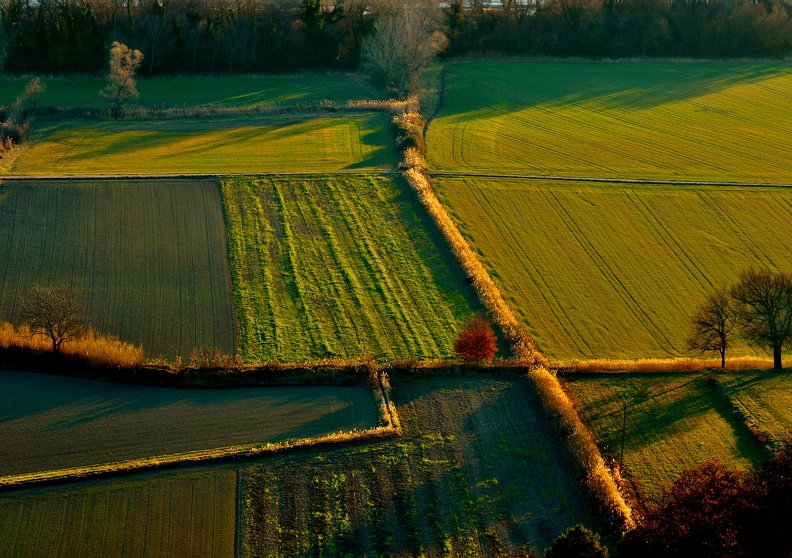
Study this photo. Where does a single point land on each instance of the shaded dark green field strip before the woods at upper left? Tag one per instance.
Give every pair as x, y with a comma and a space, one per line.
237, 91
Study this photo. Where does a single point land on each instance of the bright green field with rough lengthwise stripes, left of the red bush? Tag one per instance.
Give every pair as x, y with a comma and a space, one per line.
339, 266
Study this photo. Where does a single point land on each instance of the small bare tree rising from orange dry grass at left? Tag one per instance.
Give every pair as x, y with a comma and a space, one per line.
55, 313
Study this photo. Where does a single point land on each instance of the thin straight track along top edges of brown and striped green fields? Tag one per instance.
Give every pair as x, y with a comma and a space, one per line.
189, 176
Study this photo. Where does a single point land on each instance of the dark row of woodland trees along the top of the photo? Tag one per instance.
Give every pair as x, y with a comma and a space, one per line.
239, 36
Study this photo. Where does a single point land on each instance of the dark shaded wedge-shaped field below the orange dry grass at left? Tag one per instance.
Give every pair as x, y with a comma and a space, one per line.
79, 422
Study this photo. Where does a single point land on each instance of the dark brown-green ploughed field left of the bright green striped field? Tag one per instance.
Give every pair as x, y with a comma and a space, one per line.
147, 259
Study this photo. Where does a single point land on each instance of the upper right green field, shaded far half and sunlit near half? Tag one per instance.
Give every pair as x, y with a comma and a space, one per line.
703, 121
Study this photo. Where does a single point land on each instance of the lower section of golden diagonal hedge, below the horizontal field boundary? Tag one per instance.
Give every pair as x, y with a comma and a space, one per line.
598, 477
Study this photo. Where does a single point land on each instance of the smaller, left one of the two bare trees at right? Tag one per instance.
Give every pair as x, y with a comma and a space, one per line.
712, 324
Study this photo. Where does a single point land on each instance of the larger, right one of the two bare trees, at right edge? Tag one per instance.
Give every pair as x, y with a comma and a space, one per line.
763, 301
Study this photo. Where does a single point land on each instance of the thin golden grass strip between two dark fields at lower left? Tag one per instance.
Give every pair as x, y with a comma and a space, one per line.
214, 455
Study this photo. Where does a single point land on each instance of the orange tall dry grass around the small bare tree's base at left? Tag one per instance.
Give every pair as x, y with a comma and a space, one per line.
92, 346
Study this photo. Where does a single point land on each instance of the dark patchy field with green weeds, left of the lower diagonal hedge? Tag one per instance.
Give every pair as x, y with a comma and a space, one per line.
477, 473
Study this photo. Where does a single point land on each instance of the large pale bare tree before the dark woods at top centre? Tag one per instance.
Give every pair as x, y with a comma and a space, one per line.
404, 40
